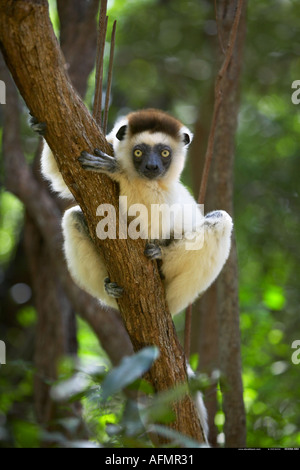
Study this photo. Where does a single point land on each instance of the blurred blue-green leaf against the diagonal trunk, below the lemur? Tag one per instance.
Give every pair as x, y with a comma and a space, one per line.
130, 369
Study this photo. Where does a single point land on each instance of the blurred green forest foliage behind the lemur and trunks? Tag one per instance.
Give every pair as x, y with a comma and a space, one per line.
166, 58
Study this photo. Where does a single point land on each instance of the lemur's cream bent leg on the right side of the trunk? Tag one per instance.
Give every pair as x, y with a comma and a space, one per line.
188, 272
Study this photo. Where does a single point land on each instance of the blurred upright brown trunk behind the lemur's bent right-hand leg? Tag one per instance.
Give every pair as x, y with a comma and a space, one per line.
225, 345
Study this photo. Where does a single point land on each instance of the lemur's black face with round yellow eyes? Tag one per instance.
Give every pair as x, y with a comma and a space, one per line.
151, 162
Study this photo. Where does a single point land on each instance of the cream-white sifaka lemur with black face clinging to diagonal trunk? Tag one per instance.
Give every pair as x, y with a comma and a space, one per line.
150, 149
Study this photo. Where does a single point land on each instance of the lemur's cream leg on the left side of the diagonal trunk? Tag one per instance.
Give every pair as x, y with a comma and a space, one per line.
84, 262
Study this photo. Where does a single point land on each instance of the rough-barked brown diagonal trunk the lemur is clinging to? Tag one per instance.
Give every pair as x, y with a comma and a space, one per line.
33, 56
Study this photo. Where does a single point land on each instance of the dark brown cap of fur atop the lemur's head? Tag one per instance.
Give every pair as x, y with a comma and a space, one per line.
153, 120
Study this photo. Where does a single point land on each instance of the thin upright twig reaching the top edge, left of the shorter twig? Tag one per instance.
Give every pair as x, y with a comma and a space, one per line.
99, 62
